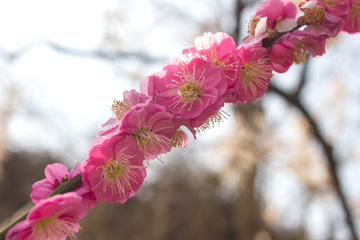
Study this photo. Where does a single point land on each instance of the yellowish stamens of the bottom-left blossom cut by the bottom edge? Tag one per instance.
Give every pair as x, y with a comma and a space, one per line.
53, 228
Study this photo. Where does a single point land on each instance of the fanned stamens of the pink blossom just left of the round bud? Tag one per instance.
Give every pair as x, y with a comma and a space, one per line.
255, 75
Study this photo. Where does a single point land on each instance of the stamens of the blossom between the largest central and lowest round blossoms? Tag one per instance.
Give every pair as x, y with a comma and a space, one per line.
151, 144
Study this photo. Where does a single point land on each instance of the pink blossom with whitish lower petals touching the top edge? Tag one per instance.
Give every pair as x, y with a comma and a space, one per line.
280, 14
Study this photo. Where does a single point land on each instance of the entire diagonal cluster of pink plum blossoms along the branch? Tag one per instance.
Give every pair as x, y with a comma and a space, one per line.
188, 92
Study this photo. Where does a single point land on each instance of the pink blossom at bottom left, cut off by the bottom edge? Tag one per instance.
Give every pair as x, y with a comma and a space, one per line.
53, 218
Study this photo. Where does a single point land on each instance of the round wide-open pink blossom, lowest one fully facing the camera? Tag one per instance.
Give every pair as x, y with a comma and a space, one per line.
114, 169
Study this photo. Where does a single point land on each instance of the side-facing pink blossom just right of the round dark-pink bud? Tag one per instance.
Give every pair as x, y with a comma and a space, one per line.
304, 42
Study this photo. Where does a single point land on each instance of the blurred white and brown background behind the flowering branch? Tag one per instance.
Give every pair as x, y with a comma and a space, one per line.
285, 166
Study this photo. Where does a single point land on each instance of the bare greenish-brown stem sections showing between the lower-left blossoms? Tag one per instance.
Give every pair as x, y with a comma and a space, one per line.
62, 188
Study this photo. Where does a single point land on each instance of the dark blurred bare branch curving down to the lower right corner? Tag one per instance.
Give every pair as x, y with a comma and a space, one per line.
328, 150
